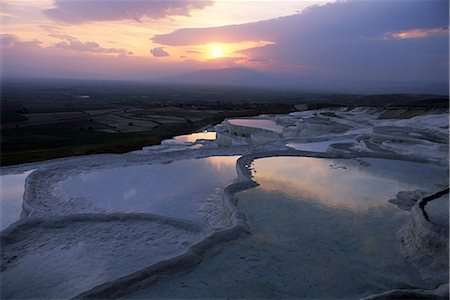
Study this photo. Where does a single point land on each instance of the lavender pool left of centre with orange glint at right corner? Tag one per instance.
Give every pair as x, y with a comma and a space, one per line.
176, 189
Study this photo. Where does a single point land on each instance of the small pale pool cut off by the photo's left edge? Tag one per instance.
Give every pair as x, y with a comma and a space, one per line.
11, 194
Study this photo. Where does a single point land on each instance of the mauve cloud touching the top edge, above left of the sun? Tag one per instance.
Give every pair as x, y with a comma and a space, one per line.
76, 12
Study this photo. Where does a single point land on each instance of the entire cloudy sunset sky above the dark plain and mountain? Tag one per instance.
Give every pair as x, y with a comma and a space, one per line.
370, 40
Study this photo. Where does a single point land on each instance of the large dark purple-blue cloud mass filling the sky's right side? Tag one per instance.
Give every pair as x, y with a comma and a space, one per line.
344, 40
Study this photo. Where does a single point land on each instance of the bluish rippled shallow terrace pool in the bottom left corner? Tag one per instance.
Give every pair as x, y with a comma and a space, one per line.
59, 261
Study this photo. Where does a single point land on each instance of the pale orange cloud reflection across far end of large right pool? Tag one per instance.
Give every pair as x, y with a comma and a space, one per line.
344, 183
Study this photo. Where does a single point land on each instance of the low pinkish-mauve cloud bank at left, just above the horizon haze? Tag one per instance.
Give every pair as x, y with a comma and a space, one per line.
24, 59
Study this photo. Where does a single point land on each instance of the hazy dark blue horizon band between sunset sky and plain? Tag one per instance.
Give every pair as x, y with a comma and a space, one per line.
184, 80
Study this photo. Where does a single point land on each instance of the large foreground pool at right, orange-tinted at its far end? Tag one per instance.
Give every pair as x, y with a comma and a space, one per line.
321, 228
